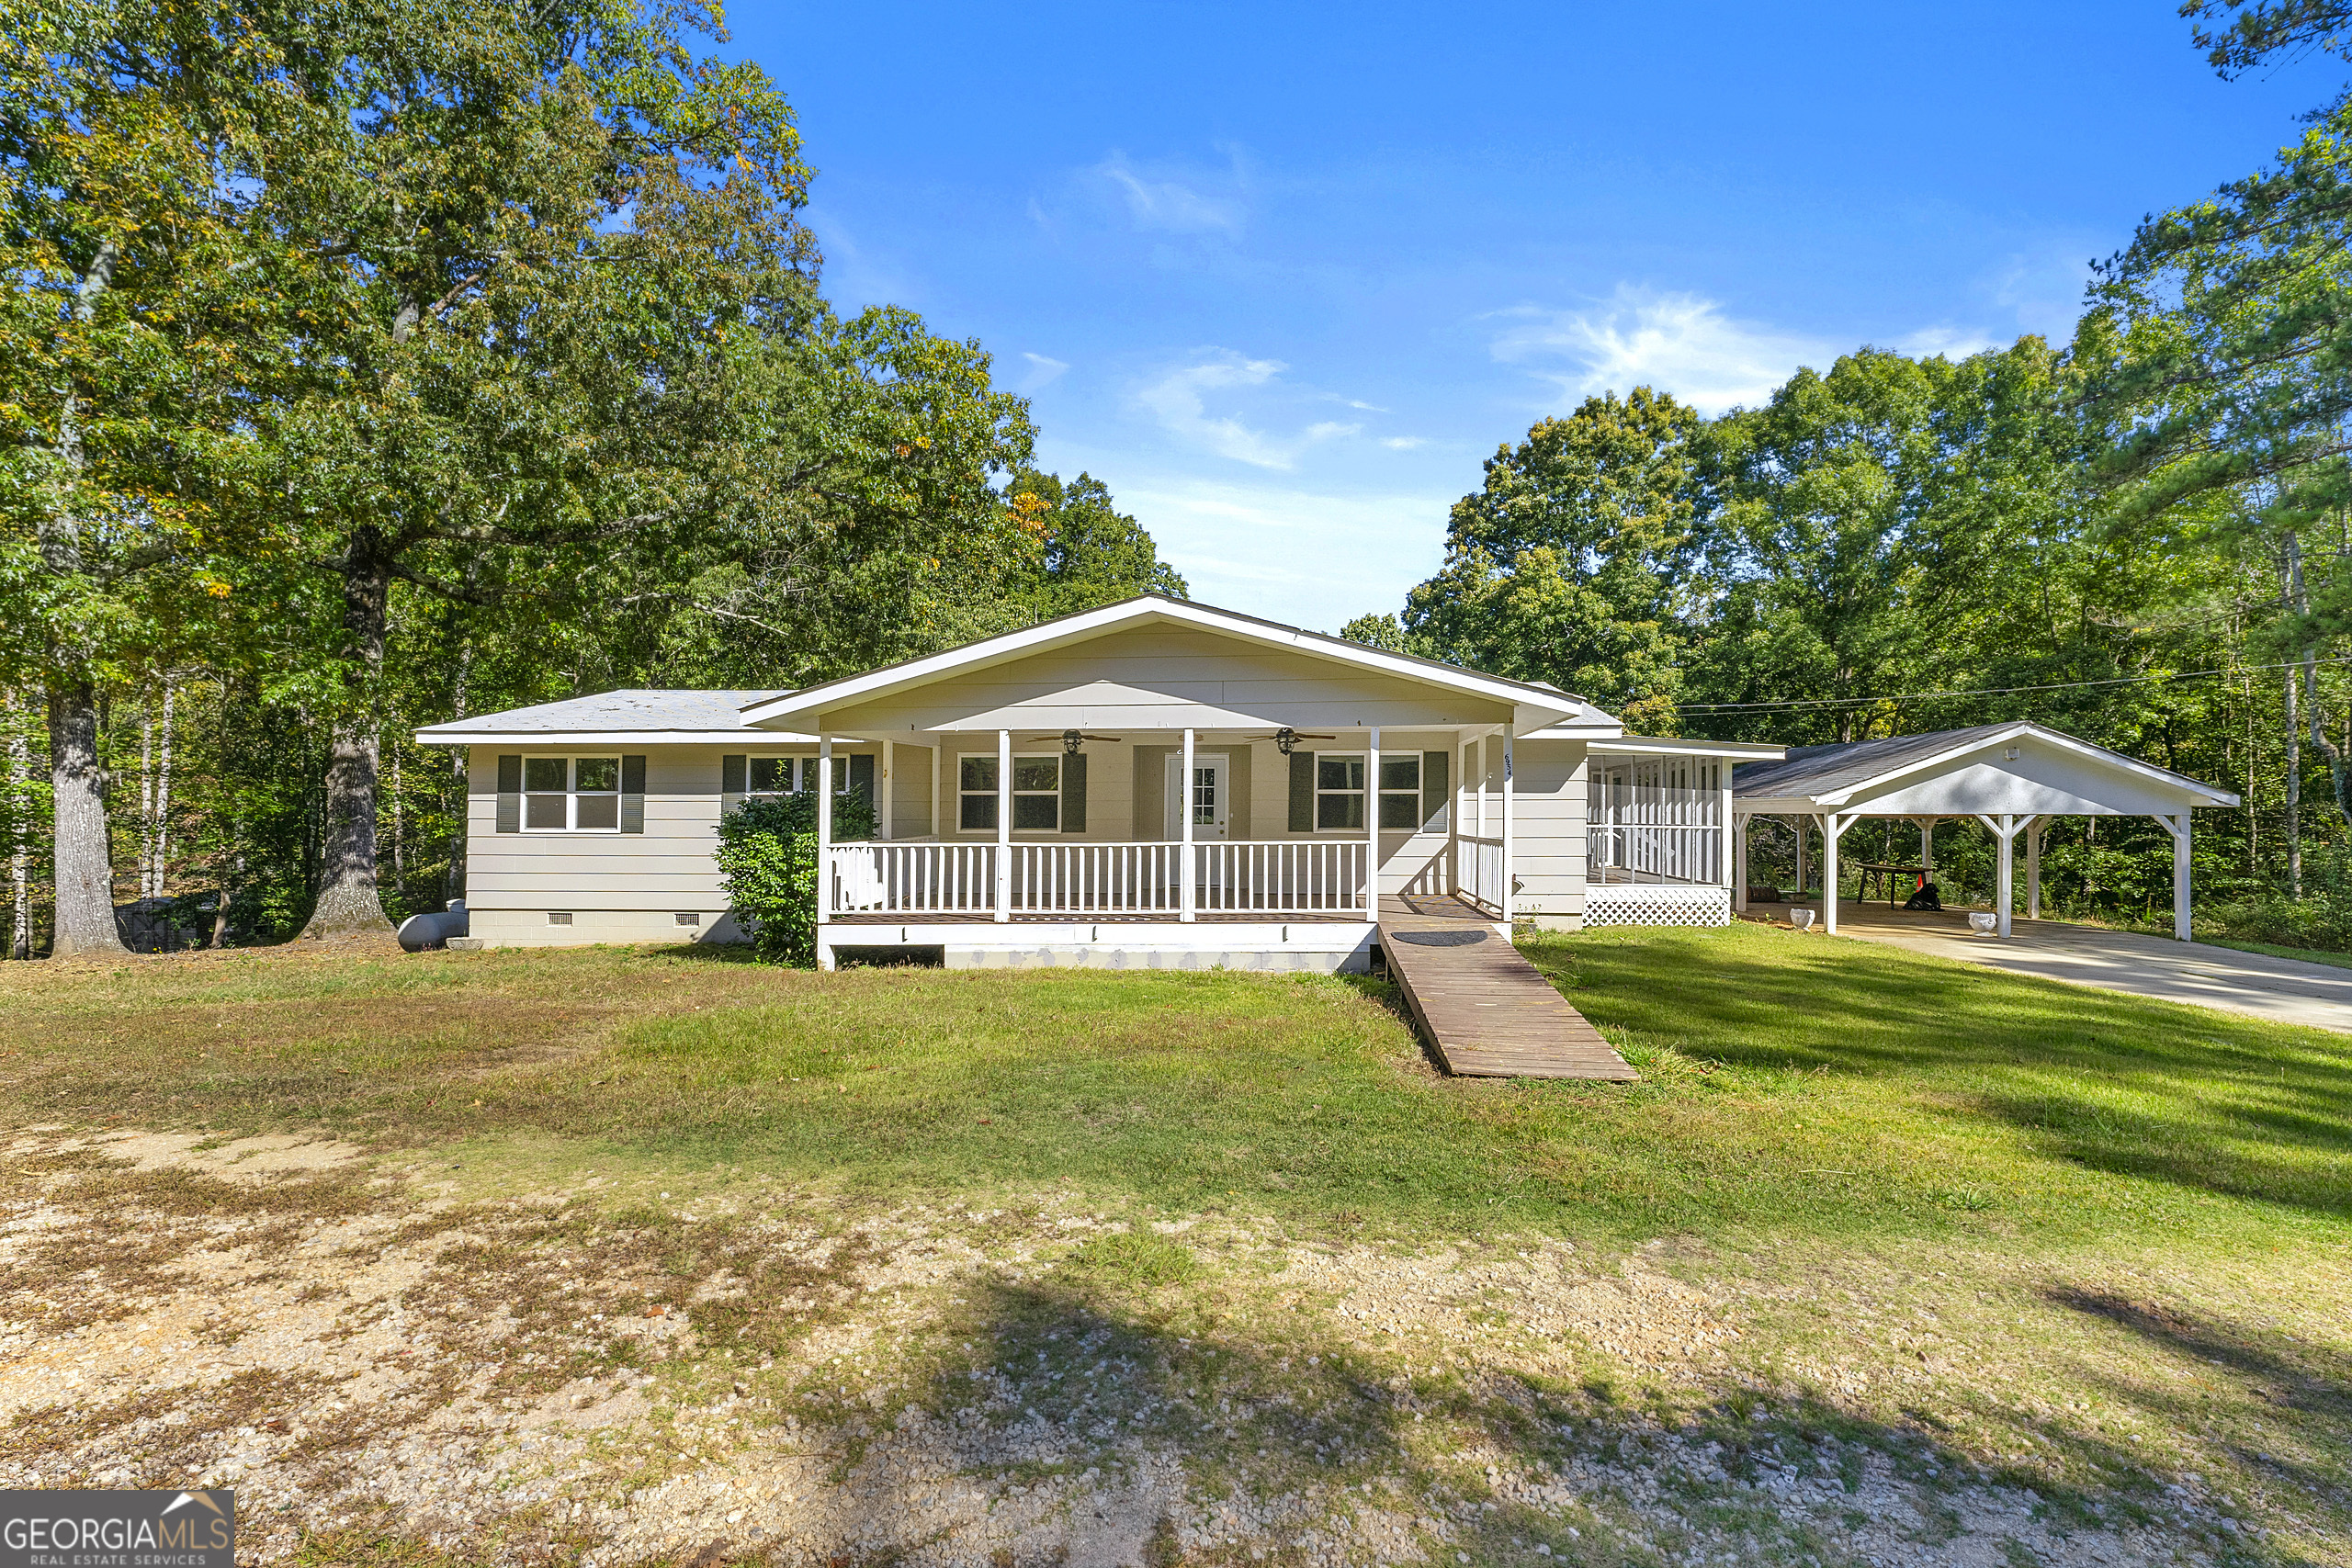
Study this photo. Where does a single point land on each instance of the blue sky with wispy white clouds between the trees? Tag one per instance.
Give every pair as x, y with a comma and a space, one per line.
1285, 276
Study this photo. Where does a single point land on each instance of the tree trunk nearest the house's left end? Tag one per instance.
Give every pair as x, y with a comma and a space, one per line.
347, 897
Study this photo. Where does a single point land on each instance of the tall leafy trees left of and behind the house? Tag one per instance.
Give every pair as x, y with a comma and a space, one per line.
366, 366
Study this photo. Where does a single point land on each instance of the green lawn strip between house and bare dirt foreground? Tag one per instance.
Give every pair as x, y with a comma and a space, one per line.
1789, 1087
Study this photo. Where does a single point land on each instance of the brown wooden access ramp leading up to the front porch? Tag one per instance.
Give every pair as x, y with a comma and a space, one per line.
1485, 1007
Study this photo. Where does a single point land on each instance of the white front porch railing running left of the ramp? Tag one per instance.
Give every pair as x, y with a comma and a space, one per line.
1100, 880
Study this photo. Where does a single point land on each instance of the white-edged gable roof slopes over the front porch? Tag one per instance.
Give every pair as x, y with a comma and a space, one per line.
1549, 704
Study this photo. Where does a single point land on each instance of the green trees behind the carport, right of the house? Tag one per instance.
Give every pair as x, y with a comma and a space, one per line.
2141, 537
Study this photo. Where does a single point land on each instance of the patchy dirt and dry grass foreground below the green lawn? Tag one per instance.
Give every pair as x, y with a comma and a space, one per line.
641, 1369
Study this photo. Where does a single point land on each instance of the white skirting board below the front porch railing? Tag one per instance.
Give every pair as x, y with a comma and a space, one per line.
1323, 946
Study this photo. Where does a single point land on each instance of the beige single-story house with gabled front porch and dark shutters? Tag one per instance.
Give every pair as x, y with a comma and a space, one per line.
1147, 784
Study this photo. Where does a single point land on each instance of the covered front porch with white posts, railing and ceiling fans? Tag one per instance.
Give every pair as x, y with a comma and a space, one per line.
1189, 826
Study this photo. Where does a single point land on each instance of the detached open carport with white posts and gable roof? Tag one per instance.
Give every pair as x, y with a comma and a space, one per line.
2010, 777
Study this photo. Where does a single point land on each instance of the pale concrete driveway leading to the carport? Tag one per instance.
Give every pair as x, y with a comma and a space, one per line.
2283, 991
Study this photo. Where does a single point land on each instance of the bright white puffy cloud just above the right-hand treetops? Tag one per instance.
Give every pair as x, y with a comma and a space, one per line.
1676, 342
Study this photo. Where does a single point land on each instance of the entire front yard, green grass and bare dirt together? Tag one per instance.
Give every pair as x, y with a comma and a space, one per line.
660, 1257
